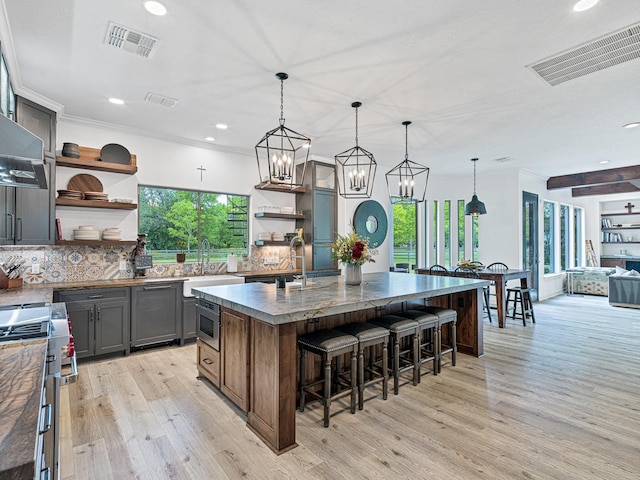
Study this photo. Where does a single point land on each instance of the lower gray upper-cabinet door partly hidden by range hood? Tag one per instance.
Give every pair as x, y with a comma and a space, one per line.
35, 213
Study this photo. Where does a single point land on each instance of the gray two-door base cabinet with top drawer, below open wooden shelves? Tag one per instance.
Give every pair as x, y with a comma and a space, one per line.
100, 320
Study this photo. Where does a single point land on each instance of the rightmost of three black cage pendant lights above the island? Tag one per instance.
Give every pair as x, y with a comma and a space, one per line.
407, 181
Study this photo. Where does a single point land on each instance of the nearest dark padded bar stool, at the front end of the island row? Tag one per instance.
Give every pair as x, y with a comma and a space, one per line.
329, 344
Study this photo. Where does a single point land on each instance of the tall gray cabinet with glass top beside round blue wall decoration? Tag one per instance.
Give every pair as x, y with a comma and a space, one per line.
319, 205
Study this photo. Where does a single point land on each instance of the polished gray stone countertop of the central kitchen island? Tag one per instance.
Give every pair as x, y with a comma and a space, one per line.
329, 295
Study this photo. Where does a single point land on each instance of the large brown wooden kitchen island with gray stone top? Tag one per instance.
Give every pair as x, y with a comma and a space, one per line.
260, 325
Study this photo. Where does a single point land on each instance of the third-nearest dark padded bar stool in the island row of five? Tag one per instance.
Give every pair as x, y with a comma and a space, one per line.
399, 328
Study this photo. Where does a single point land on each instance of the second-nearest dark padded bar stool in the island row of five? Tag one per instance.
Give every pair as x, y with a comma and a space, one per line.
369, 336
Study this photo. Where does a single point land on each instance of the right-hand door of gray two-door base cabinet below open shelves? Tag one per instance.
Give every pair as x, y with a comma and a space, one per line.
112, 327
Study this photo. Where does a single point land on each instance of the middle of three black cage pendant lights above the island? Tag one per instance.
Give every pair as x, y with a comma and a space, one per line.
356, 169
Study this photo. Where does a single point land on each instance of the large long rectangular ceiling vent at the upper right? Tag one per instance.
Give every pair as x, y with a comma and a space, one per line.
604, 52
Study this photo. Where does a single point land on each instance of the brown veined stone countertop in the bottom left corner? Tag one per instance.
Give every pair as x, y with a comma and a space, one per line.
21, 381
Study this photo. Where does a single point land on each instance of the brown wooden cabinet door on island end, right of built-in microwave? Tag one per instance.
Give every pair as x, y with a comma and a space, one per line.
235, 357
